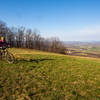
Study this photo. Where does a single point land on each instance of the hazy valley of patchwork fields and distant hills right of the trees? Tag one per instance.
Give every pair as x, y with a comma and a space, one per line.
86, 49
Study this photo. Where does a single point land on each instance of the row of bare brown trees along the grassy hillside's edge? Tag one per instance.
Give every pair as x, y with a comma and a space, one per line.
26, 38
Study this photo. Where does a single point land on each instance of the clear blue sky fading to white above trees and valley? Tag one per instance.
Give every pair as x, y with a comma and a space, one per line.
70, 20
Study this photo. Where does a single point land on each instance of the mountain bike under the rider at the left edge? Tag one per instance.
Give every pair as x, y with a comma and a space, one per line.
5, 54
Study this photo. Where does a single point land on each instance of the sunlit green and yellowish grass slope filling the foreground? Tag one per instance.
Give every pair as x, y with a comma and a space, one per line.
47, 76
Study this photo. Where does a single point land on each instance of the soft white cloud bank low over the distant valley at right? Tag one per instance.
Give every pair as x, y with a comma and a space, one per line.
90, 33
